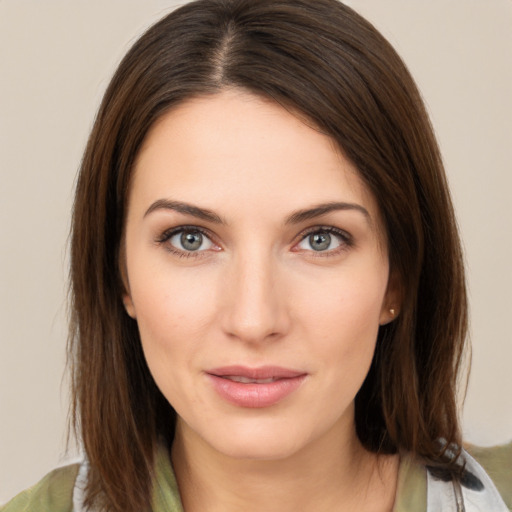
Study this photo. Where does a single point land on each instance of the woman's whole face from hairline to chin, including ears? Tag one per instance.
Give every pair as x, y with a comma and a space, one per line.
256, 269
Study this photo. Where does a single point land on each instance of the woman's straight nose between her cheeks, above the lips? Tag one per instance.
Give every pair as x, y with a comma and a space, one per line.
255, 307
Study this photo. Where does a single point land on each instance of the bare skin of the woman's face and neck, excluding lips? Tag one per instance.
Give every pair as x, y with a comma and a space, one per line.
256, 293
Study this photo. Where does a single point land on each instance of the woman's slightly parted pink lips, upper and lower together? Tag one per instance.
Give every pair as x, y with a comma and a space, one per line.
278, 383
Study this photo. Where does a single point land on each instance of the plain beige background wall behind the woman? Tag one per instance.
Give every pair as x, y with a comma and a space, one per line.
56, 57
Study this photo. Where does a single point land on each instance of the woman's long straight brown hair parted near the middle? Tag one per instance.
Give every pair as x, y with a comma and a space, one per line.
321, 59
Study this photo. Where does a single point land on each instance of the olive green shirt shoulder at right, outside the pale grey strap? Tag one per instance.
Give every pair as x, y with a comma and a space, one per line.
497, 462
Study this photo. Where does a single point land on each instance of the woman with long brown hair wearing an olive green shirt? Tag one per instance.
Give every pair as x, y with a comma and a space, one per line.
269, 308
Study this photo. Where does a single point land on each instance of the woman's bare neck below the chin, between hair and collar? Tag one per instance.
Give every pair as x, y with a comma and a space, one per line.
330, 474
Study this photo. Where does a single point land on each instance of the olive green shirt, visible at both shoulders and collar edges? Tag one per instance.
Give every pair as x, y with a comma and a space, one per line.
54, 493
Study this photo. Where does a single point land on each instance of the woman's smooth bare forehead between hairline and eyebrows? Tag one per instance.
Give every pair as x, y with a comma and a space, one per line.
237, 150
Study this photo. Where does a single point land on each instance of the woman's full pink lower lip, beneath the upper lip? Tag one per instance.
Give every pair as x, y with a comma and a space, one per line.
255, 395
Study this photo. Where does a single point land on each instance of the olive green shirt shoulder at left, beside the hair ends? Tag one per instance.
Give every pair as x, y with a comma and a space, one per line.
54, 493
